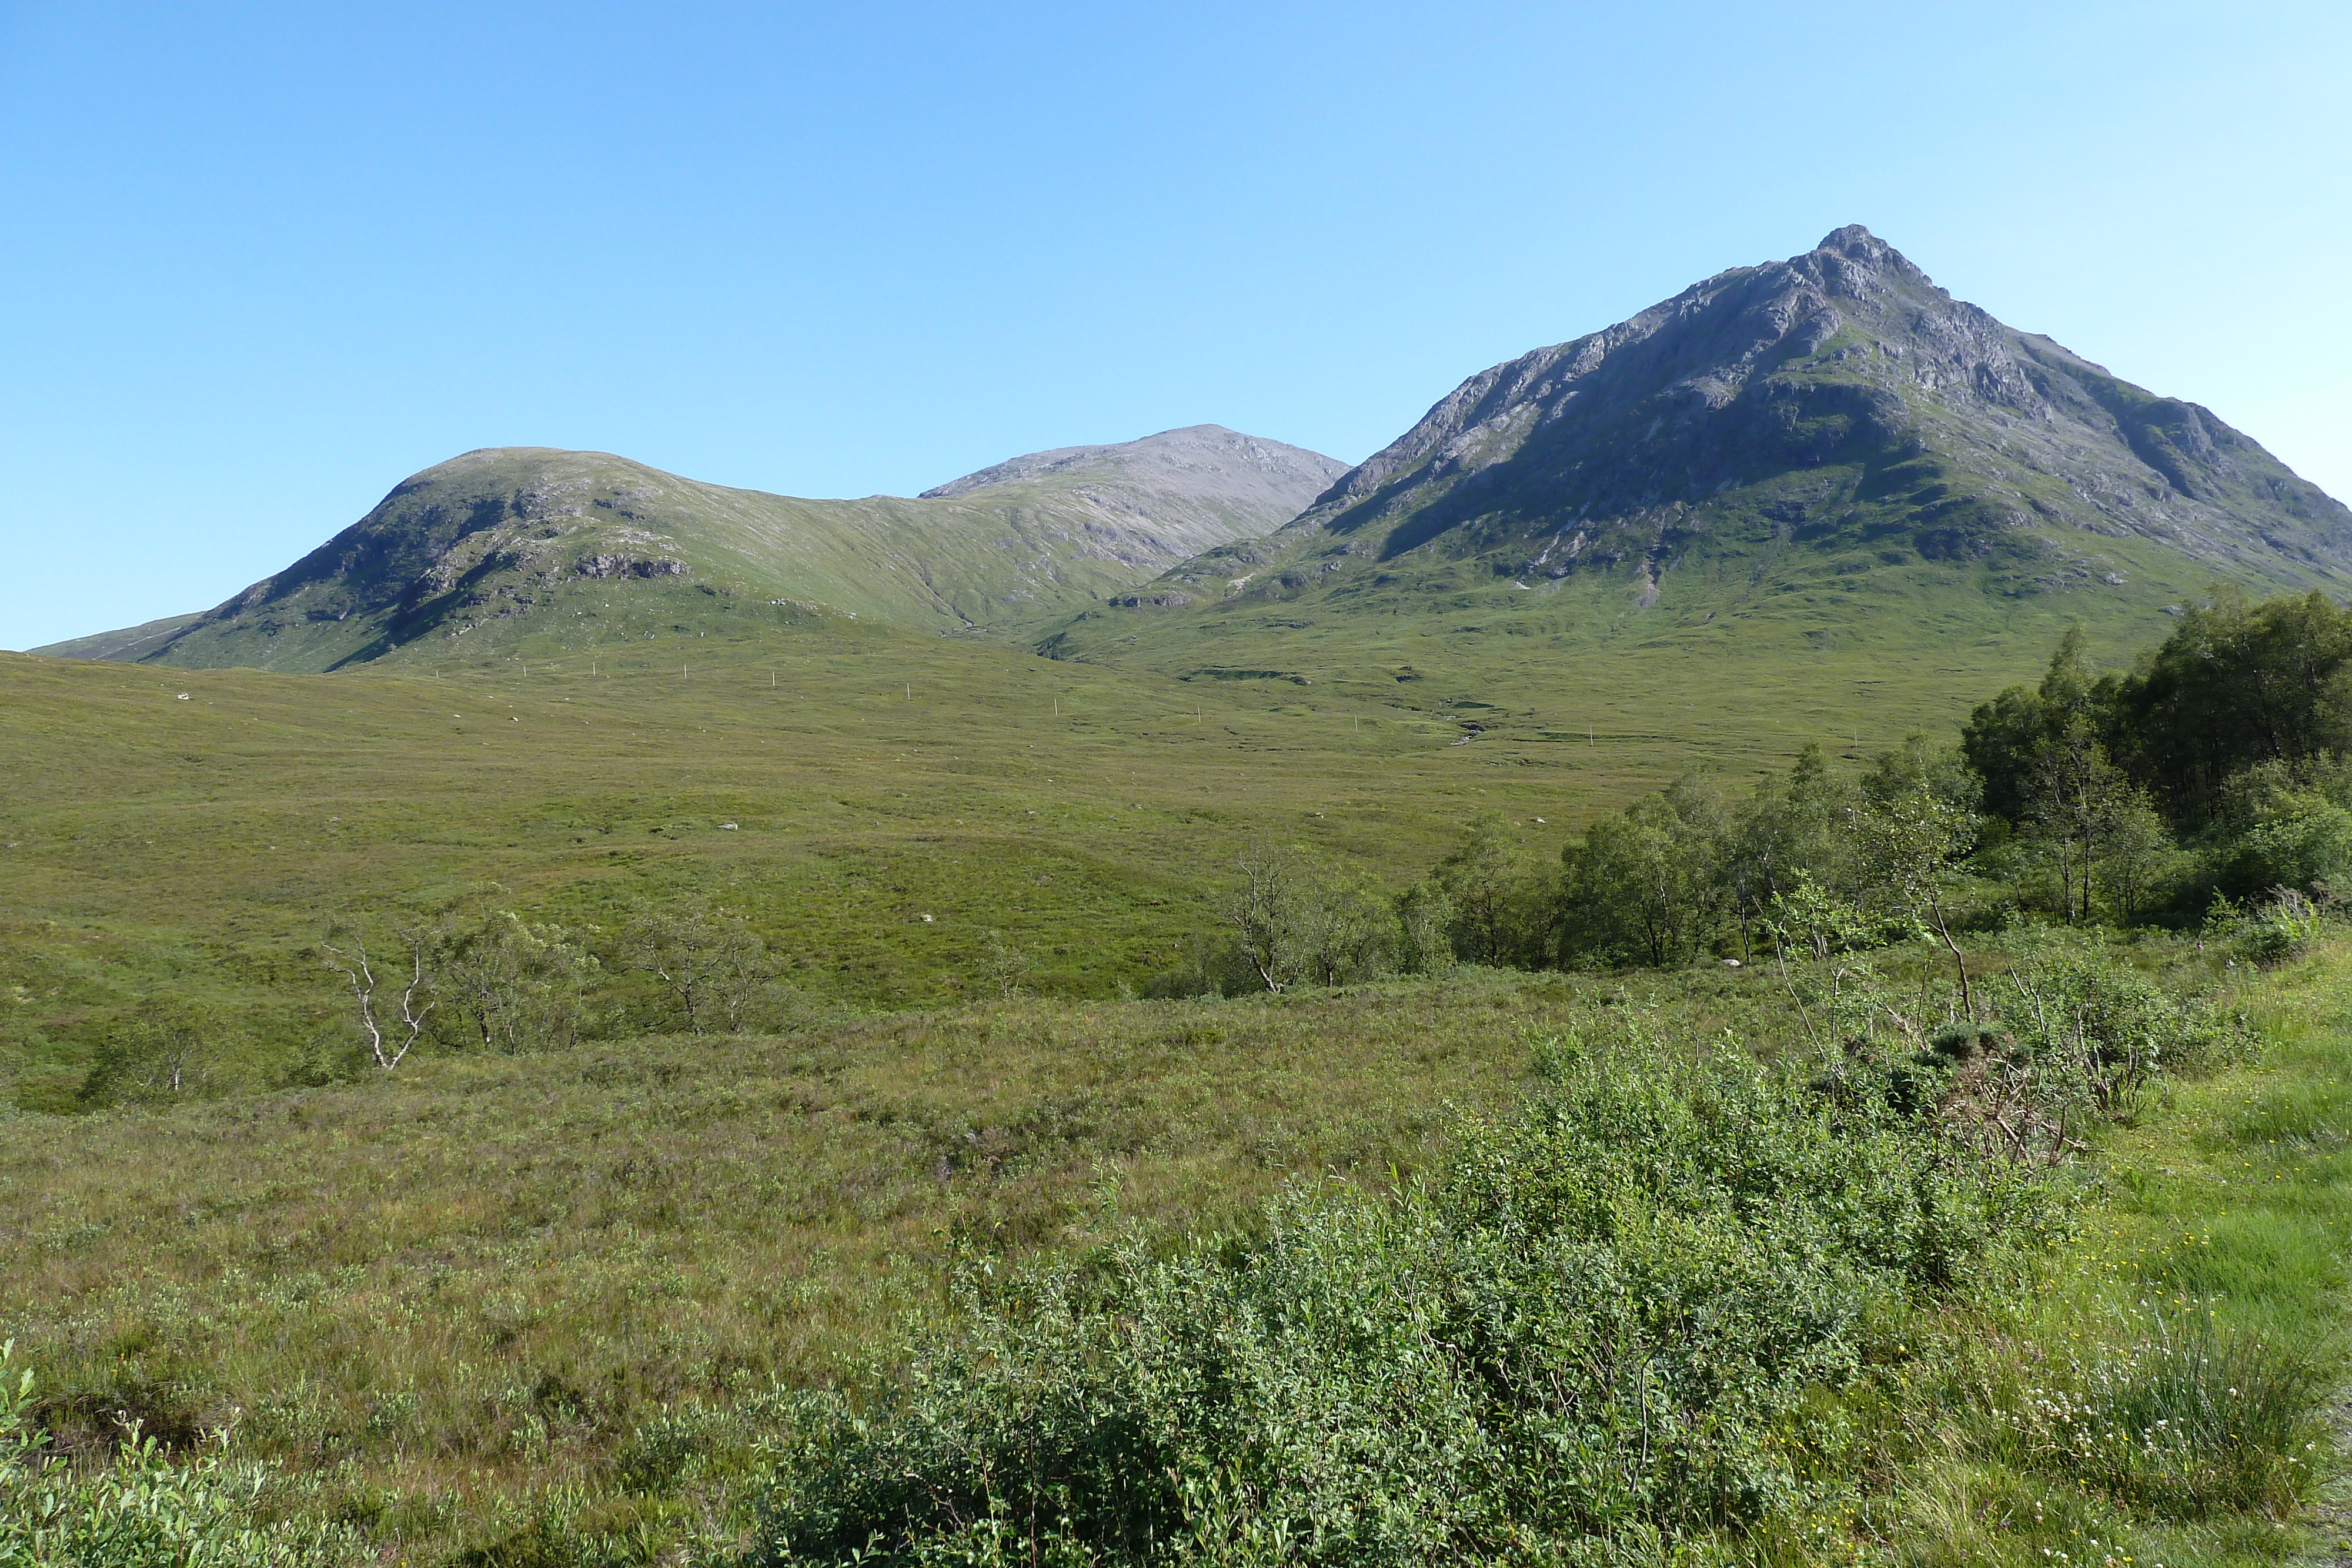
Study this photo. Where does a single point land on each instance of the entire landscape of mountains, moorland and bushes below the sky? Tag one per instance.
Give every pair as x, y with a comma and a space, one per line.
1093, 1014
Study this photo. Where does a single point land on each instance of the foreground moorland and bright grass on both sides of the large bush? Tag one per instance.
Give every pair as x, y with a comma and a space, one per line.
552, 1308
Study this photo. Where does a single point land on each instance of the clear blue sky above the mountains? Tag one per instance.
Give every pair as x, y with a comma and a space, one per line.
260, 262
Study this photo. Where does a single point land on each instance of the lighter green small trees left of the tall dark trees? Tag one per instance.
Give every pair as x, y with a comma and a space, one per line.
1805, 857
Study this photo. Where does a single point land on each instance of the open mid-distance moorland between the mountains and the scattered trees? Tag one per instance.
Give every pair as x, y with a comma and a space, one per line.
836, 784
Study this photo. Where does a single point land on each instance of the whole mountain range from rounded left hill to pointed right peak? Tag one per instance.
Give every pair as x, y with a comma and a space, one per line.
1810, 457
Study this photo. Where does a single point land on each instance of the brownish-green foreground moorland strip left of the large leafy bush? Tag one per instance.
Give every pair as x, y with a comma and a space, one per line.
486, 1275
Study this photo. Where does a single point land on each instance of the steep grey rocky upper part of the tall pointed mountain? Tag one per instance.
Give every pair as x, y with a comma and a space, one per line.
1822, 396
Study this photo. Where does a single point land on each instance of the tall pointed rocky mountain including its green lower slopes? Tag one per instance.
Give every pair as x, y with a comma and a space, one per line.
1786, 478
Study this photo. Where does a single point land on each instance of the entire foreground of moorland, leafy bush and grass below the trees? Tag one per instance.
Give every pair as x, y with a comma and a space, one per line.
587, 1306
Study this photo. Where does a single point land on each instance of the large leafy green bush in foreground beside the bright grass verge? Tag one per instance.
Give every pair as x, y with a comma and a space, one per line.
1603, 1320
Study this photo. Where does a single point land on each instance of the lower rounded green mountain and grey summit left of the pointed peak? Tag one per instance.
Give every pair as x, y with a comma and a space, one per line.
577, 549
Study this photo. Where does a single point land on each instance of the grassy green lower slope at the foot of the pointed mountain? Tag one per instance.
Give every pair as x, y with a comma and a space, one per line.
1728, 645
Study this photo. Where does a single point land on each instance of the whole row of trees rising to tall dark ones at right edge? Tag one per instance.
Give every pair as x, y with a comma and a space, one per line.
2212, 777
